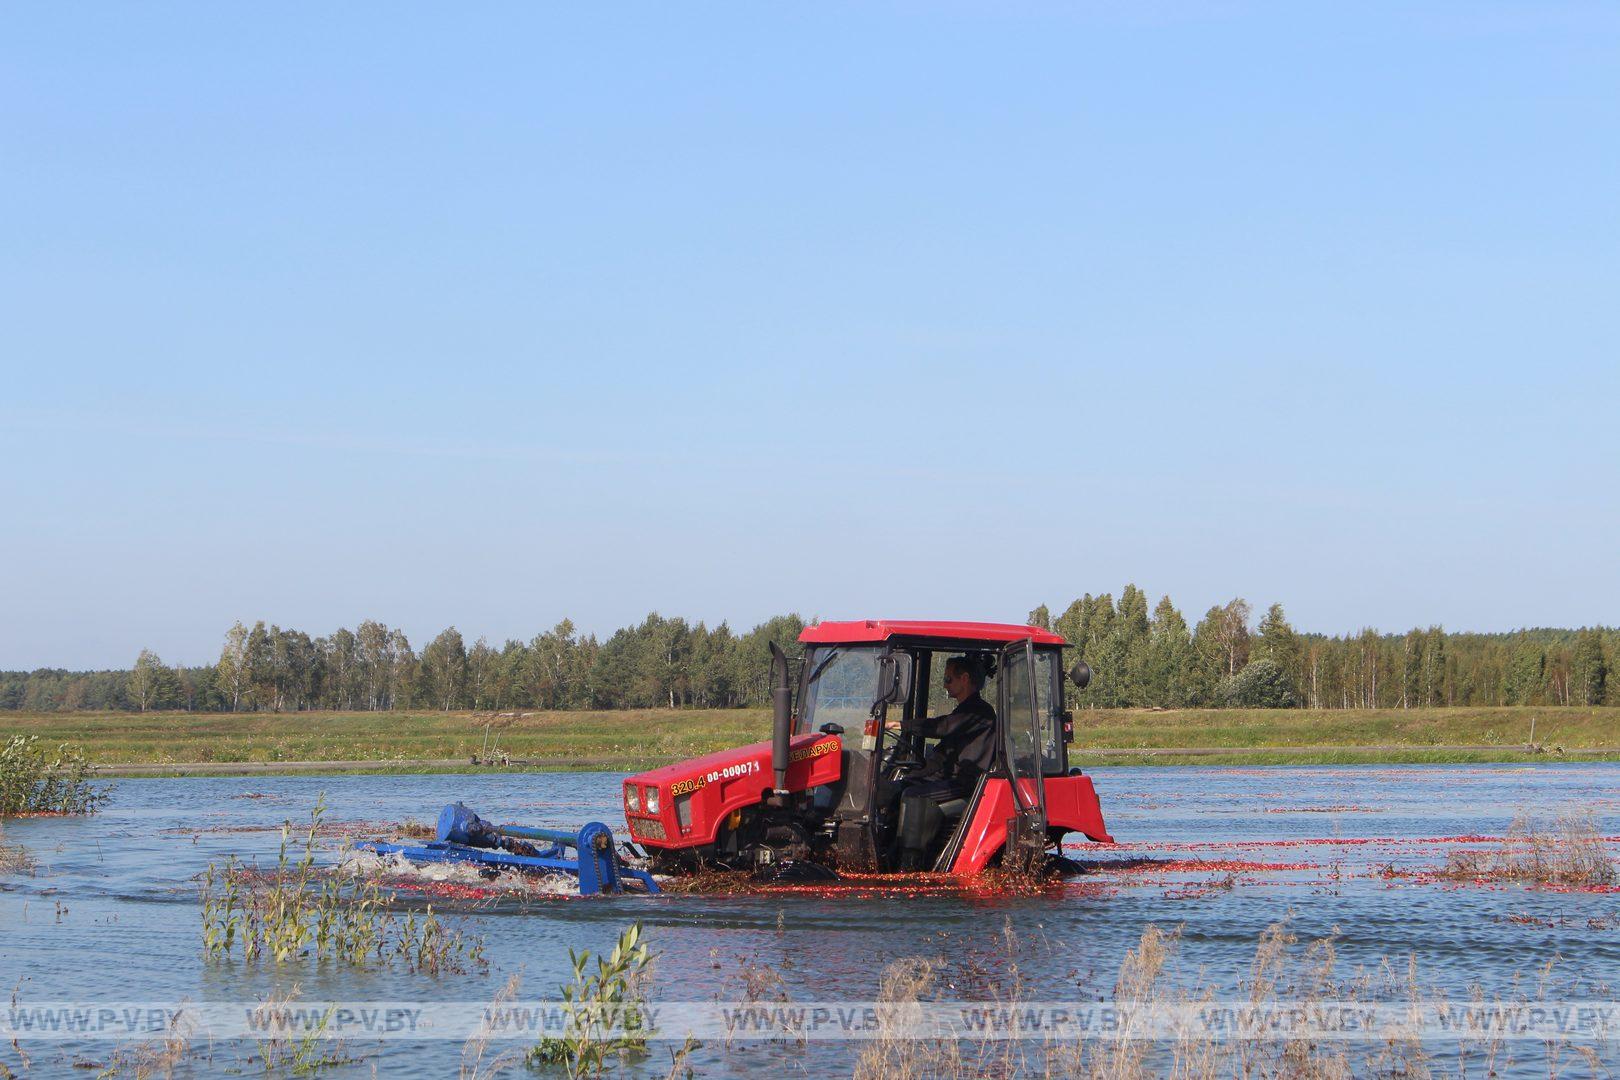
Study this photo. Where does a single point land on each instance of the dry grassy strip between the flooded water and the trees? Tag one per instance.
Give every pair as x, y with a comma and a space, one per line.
309, 744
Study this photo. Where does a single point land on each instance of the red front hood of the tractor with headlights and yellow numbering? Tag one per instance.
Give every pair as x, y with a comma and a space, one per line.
686, 804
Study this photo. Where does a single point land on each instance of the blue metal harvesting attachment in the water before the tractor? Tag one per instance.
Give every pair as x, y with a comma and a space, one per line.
466, 838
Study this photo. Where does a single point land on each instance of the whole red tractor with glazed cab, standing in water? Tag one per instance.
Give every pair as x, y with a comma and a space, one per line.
848, 733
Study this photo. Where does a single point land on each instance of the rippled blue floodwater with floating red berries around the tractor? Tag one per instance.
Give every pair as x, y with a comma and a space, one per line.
1399, 865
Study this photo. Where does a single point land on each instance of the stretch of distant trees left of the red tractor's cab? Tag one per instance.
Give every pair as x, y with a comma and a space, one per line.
665, 663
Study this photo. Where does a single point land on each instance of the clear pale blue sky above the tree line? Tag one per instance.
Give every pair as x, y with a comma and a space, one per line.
490, 317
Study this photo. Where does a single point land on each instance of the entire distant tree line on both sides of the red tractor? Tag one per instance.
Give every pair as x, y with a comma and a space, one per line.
1143, 658
